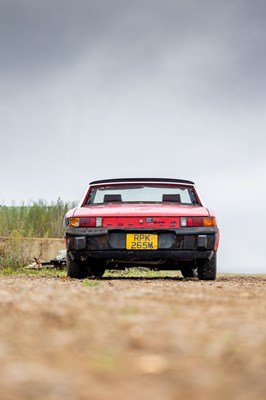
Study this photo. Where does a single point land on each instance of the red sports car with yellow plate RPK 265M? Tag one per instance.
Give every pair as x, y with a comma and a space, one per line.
156, 223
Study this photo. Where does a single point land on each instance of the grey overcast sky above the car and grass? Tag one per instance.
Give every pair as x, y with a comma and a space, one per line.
93, 89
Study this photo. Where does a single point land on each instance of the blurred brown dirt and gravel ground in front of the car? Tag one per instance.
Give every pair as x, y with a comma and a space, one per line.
133, 338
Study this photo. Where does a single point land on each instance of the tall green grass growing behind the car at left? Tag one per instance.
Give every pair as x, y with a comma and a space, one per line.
36, 220
